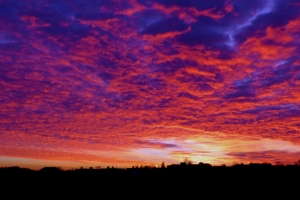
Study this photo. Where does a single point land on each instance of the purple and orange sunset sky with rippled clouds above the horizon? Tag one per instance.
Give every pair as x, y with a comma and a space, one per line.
136, 82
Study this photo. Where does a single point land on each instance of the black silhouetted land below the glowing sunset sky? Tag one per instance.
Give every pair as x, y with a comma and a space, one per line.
182, 181
